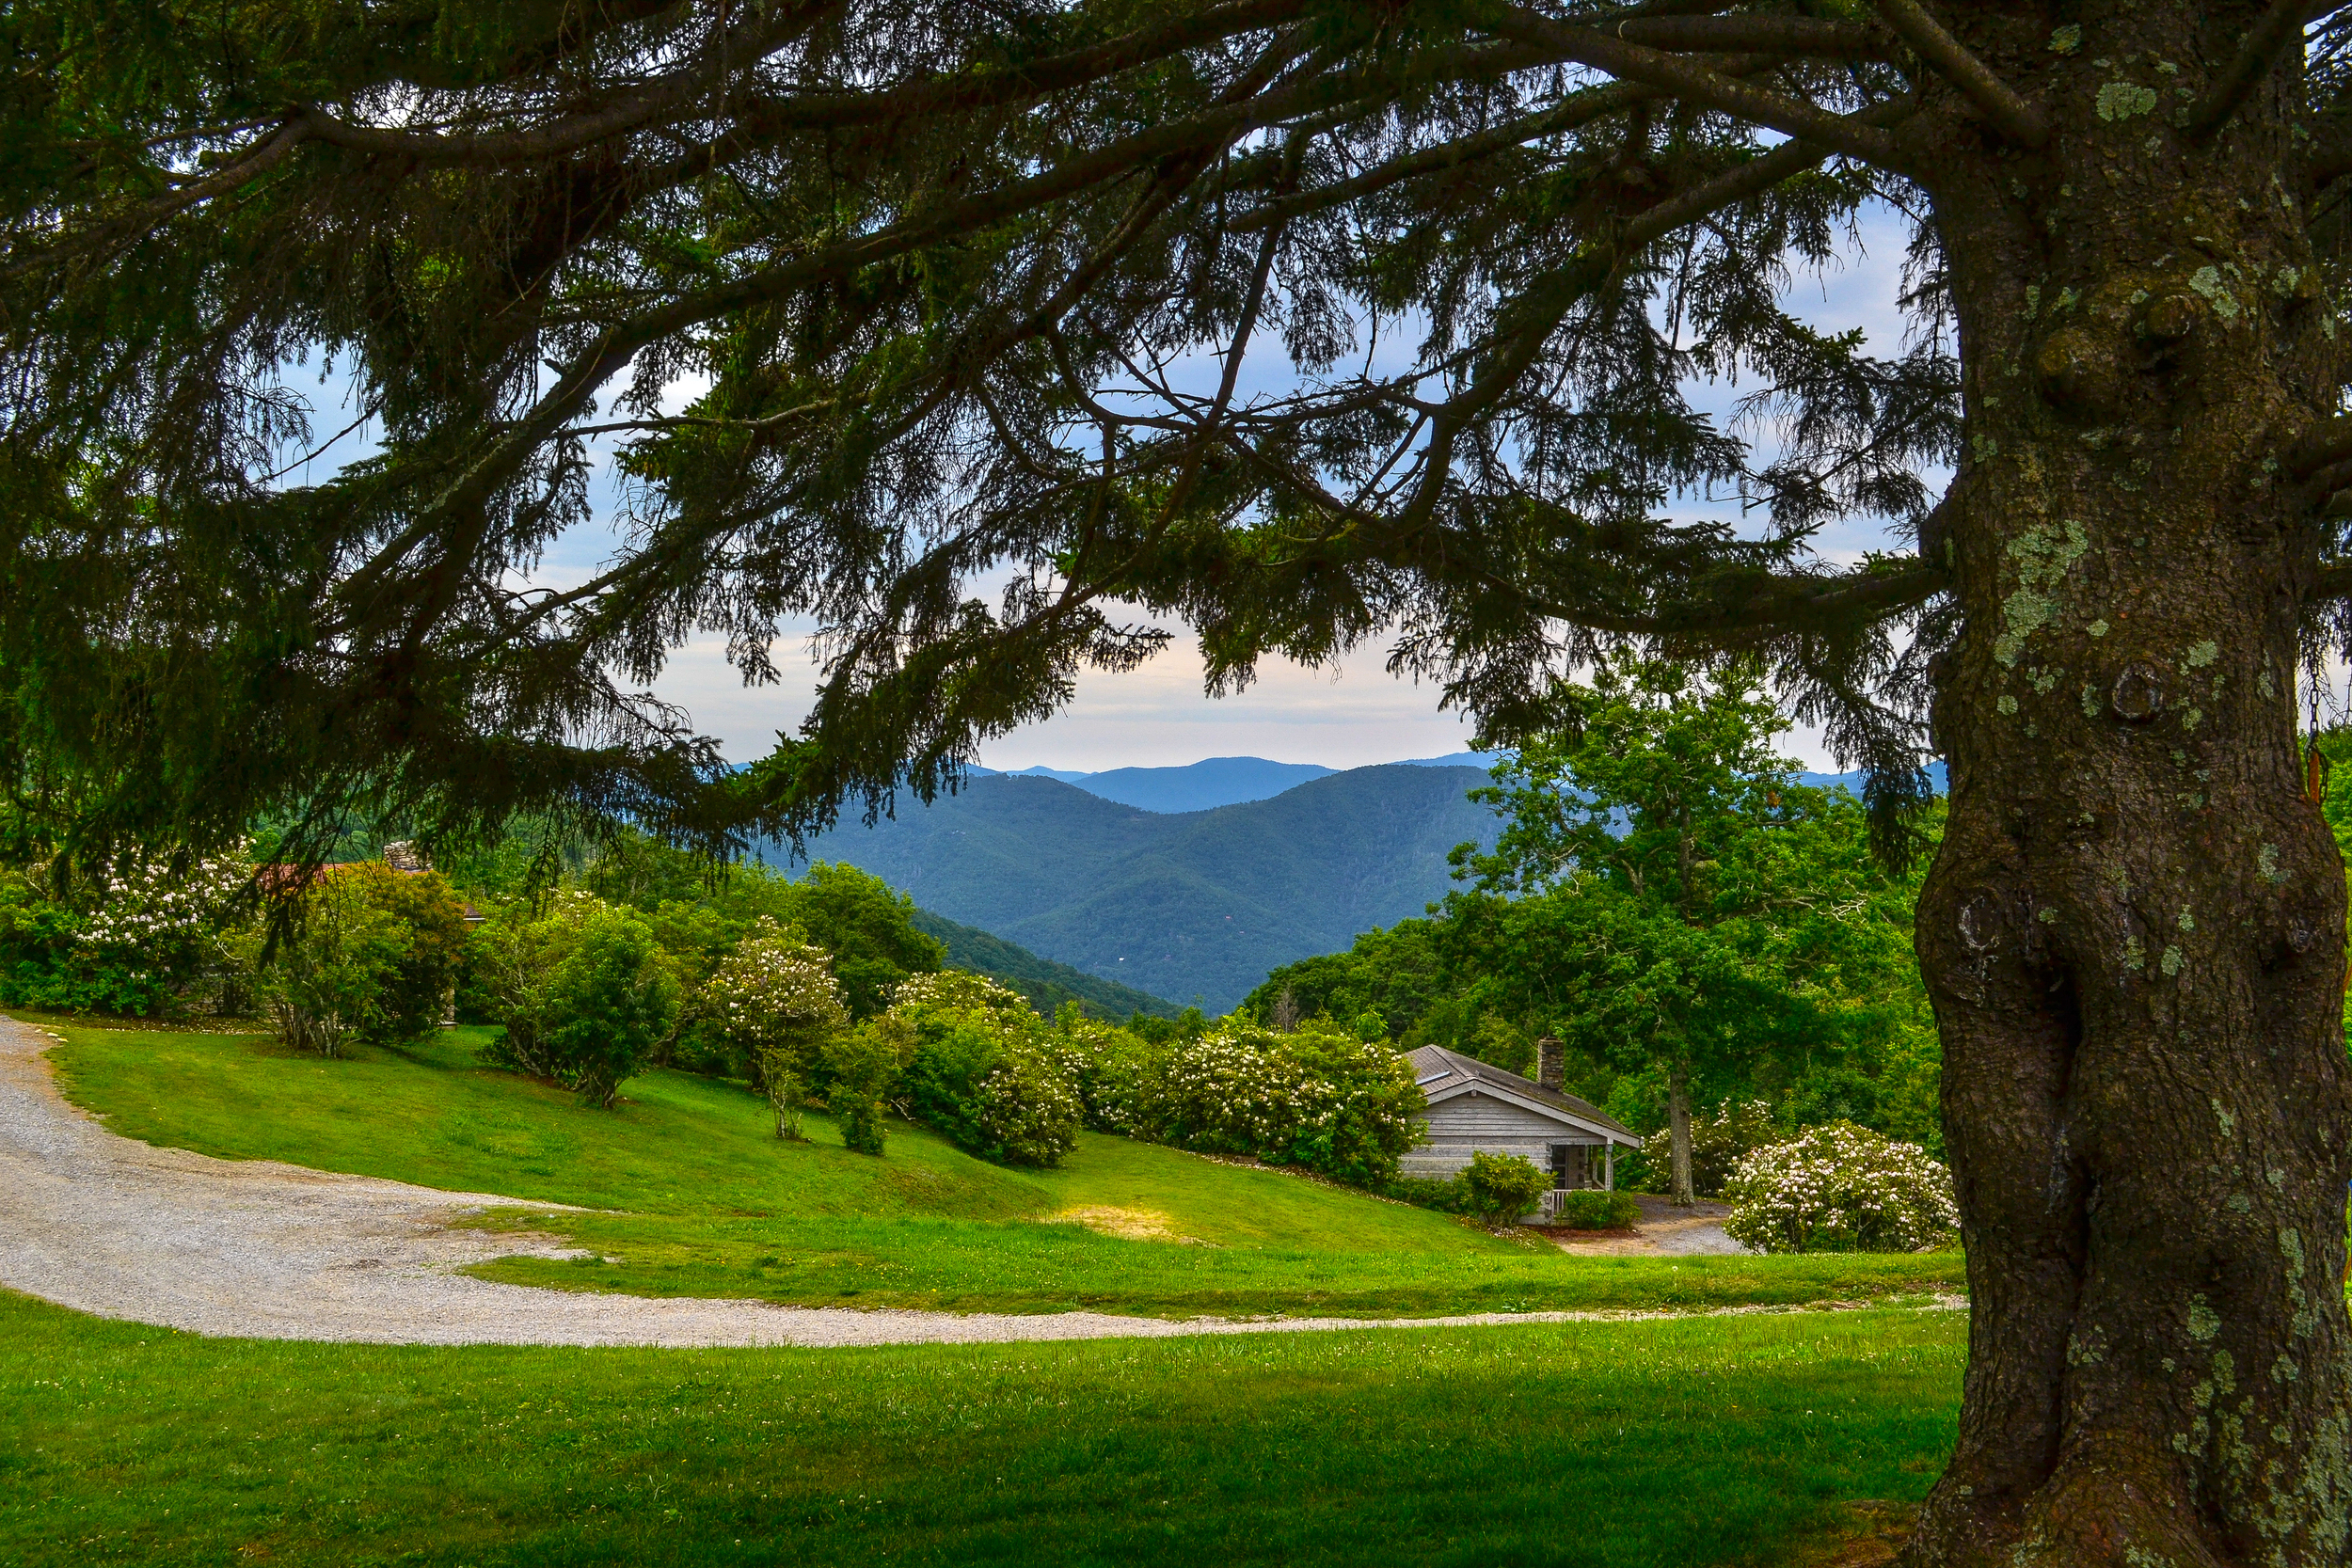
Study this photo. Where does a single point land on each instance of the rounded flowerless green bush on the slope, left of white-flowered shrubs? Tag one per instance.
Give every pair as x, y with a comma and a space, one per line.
608, 1005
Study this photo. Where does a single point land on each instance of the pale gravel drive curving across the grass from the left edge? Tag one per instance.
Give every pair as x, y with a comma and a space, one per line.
260, 1249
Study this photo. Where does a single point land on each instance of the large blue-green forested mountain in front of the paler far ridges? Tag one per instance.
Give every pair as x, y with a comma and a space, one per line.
1182, 906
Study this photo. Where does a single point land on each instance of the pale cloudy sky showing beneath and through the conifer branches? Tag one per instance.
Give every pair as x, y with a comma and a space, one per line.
1158, 716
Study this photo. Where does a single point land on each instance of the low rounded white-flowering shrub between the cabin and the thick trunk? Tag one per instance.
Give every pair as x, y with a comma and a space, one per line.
1840, 1188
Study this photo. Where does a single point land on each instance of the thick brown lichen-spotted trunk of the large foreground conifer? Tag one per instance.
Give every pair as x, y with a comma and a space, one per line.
2134, 930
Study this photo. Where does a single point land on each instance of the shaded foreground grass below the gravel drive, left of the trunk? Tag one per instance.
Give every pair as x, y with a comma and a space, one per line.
1662, 1445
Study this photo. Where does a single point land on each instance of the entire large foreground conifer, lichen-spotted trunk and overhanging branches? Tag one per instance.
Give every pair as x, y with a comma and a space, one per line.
975, 288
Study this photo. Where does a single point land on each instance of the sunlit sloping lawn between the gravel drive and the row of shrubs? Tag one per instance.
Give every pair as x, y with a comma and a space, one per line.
709, 1202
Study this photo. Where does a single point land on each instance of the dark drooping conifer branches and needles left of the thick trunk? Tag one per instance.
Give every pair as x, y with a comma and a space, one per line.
1013, 330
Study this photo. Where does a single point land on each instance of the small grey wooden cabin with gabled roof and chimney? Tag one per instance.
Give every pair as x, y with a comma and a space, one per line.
1476, 1108
